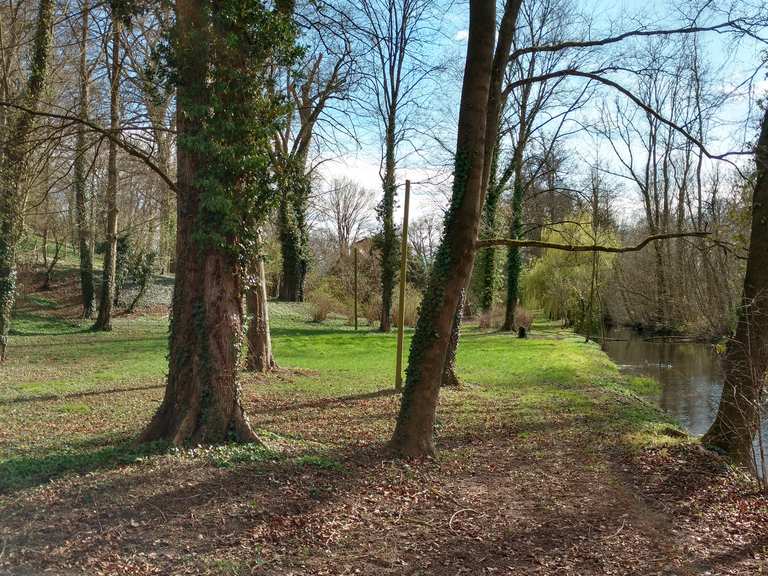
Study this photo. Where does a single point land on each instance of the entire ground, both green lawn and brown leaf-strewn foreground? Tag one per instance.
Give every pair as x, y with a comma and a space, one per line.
550, 462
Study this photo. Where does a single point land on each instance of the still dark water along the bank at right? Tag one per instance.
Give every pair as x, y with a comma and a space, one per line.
688, 372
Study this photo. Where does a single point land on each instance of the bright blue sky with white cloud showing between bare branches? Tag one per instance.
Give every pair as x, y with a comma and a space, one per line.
430, 173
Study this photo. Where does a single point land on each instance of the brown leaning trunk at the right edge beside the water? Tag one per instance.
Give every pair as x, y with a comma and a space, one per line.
746, 357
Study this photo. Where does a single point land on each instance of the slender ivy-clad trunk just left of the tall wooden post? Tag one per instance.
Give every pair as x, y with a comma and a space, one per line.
386, 213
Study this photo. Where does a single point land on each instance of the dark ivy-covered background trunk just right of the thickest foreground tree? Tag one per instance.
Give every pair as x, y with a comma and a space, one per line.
294, 233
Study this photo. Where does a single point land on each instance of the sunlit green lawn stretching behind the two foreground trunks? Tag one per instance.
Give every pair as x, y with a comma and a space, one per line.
72, 400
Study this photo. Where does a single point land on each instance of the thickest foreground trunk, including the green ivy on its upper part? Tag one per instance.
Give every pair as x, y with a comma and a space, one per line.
226, 116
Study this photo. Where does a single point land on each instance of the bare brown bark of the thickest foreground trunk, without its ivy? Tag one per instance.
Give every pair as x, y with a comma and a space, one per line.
202, 394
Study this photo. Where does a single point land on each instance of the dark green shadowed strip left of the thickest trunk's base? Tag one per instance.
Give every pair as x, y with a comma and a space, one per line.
27, 471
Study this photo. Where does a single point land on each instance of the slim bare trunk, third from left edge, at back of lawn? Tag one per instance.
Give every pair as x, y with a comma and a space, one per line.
106, 301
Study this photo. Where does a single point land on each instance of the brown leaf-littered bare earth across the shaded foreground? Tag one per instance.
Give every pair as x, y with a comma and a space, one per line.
552, 494
